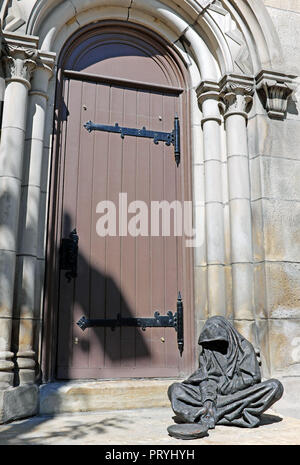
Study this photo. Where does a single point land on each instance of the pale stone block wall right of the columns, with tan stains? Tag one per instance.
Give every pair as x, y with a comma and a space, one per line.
275, 193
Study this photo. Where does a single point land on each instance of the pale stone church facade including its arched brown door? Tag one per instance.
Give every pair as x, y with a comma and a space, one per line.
230, 70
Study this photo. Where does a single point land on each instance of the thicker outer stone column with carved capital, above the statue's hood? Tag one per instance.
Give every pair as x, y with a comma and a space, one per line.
236, 93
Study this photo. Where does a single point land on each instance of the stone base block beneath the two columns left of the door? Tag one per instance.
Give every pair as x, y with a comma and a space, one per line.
18, 402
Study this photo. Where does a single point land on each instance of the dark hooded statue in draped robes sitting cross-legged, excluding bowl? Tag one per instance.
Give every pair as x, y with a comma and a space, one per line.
231, 380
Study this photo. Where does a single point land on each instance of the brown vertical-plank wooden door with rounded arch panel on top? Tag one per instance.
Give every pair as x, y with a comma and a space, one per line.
109, 75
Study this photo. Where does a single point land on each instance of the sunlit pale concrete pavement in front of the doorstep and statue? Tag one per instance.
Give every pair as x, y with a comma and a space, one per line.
139, 427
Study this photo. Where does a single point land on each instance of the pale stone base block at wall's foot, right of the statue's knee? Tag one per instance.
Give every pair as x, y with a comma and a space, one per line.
289, 405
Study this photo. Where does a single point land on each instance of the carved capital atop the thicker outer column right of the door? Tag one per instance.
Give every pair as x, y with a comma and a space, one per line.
236, 93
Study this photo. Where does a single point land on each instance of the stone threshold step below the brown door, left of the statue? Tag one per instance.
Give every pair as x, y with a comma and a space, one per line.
97, 395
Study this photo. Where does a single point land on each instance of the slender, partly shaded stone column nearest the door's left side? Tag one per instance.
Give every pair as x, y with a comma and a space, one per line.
27, 309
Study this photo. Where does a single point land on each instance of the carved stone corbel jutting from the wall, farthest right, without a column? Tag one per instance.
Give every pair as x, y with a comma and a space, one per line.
276, 88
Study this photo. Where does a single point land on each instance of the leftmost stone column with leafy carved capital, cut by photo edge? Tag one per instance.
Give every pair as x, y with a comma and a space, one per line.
19, 62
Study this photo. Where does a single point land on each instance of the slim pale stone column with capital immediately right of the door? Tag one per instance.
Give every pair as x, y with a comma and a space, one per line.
208, 98
